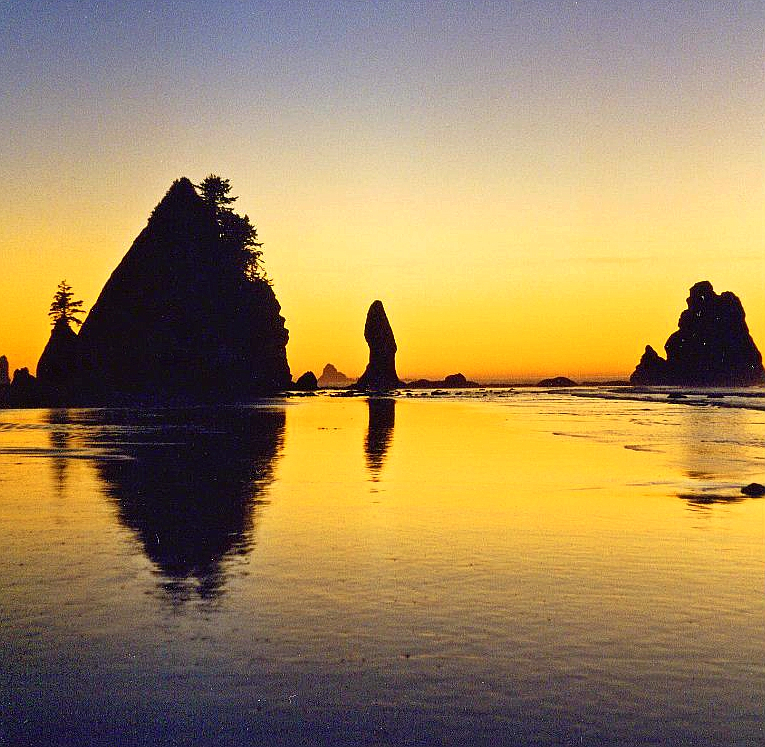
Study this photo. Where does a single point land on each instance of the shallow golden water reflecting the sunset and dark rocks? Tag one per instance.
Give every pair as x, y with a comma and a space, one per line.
485, 568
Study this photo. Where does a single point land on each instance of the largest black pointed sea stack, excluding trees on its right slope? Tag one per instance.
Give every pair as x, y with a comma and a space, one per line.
178, 320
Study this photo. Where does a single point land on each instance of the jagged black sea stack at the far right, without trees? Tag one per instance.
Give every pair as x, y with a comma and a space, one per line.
712, 346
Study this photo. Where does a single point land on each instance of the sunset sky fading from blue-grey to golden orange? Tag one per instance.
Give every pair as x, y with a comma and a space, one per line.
529, 187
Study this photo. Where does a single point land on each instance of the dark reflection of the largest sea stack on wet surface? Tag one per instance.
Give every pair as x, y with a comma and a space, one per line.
187, 483
